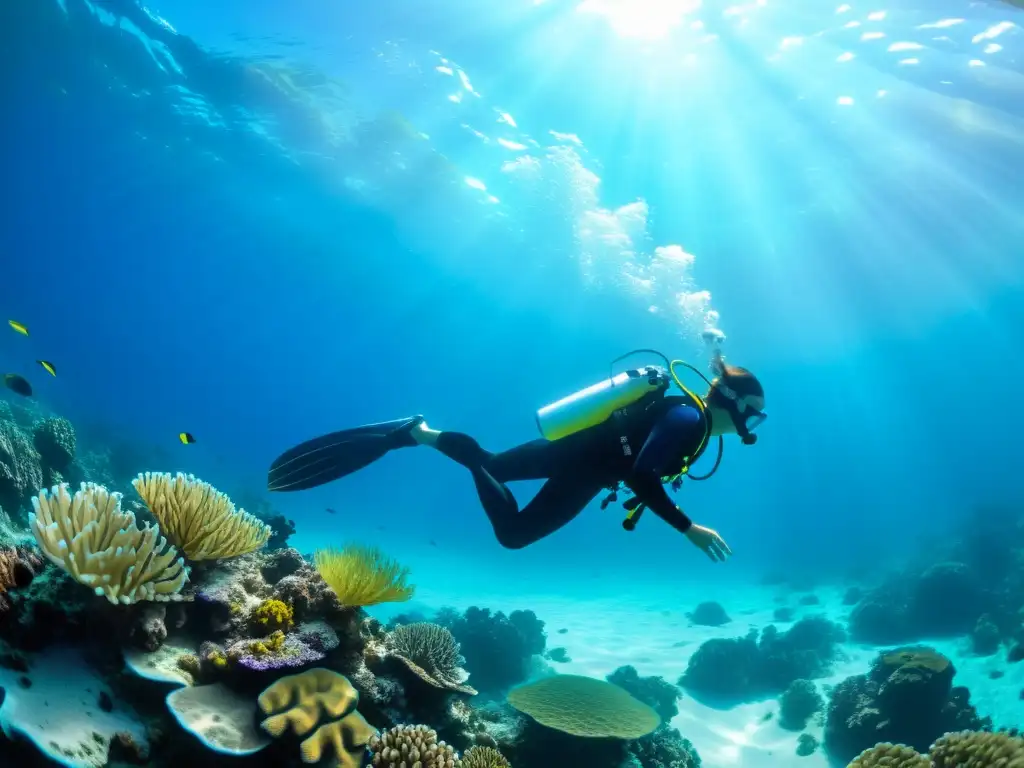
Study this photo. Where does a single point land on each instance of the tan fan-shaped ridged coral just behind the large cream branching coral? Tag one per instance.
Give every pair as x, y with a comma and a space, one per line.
200, 520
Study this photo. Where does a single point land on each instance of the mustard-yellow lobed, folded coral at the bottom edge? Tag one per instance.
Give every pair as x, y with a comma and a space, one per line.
302, 703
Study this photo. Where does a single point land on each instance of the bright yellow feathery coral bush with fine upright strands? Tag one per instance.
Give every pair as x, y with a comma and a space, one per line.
363, 576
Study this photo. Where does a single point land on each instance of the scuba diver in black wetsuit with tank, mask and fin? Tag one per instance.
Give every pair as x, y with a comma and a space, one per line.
625, 431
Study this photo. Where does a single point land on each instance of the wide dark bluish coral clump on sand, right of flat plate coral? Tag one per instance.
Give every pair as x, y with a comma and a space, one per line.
748, 667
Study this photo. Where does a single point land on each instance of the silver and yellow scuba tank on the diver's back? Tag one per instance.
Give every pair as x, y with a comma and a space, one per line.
596, 404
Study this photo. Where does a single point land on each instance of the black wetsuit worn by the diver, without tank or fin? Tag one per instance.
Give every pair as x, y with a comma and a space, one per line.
649, 442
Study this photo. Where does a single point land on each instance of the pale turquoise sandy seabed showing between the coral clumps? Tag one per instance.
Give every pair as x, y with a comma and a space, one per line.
648, 627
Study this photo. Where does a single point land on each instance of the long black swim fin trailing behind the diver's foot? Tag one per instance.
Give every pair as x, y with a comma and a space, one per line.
332, 456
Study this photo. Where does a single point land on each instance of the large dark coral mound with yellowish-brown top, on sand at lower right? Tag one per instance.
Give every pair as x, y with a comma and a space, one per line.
908, 699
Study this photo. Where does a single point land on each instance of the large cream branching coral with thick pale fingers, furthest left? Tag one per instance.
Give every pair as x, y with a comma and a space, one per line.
100, 546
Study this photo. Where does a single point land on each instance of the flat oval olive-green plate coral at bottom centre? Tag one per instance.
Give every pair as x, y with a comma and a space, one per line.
585, 707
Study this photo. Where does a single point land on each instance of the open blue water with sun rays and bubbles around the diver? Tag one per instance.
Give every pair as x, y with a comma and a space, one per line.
260, 223
